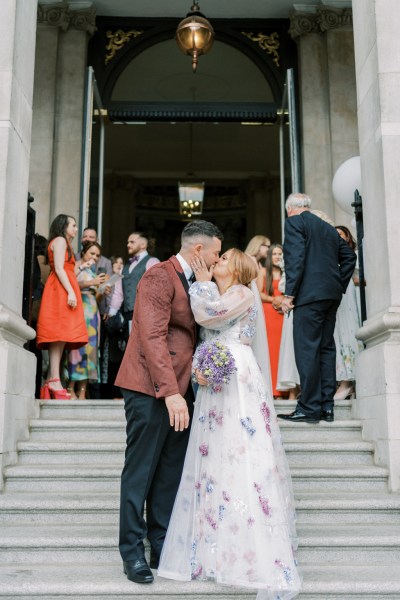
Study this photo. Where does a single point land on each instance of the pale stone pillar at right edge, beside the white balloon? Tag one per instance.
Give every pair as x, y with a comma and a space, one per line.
377, 51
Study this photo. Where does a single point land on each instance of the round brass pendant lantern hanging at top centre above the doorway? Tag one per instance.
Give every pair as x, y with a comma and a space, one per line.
195, 34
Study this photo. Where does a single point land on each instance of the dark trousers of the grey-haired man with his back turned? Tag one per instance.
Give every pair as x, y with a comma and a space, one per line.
315, 353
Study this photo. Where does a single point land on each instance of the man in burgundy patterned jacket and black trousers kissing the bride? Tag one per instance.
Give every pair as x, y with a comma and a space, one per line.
155, 382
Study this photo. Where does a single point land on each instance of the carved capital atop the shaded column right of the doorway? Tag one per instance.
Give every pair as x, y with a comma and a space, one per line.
324, 19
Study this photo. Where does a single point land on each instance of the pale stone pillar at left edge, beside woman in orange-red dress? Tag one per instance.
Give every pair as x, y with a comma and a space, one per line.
17, 365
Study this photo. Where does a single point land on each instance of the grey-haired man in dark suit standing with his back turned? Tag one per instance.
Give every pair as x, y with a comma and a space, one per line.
318, 266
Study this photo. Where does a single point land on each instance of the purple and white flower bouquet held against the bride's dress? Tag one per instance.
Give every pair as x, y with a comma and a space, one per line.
216, 363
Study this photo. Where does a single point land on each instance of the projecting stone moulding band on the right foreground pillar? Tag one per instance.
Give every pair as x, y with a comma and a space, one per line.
383, 327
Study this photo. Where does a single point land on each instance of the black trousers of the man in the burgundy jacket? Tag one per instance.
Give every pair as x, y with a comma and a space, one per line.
154, 459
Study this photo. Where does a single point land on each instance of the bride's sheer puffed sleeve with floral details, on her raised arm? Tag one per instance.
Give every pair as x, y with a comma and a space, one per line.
215, 311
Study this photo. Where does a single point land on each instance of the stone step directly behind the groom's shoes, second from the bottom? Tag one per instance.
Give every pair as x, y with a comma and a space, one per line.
318, 544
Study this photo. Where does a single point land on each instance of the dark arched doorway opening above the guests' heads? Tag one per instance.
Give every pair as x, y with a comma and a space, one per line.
166, 124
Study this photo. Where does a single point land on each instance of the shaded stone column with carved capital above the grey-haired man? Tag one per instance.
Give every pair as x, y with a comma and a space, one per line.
327, 99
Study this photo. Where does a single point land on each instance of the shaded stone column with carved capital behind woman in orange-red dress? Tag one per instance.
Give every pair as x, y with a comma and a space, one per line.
55, 174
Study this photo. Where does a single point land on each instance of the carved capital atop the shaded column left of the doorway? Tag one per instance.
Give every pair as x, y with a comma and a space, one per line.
62, 16
